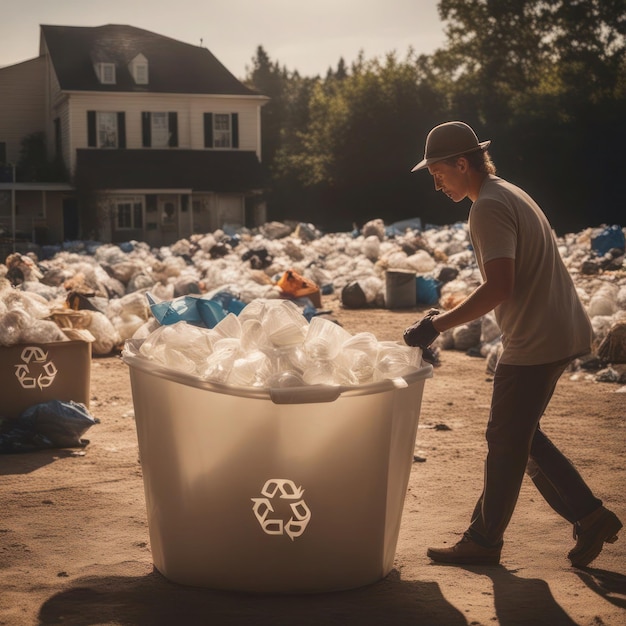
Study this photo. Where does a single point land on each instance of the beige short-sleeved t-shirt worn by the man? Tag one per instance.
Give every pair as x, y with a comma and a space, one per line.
543, 321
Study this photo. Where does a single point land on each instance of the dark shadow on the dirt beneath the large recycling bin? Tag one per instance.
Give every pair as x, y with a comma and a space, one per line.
152, 600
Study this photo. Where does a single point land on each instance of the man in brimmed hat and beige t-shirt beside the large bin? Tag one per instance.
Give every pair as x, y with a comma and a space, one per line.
544, 326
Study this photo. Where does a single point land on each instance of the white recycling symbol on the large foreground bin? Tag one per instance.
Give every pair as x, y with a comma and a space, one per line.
267, 509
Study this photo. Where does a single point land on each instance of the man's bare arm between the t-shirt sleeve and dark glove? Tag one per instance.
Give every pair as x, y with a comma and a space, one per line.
498, 287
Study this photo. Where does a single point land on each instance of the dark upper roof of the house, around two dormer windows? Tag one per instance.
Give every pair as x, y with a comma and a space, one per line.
174, 66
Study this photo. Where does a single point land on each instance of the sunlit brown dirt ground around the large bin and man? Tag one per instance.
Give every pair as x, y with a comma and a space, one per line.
74, 545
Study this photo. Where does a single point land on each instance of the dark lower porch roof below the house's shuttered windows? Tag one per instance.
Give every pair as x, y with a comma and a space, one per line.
198, 170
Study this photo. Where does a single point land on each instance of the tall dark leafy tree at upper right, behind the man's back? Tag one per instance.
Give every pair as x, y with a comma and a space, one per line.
546, 77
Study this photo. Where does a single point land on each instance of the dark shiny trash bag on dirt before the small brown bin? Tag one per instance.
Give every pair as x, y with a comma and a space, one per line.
52, 424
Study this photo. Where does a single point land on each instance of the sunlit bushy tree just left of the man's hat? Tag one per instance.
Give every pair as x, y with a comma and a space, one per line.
354, 156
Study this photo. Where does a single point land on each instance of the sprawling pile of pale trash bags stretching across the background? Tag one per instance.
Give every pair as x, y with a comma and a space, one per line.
99, 291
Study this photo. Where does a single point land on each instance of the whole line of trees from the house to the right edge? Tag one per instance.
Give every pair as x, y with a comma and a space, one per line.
545, 80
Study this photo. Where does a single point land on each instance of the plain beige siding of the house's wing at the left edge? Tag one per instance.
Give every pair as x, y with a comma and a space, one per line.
22, 104
